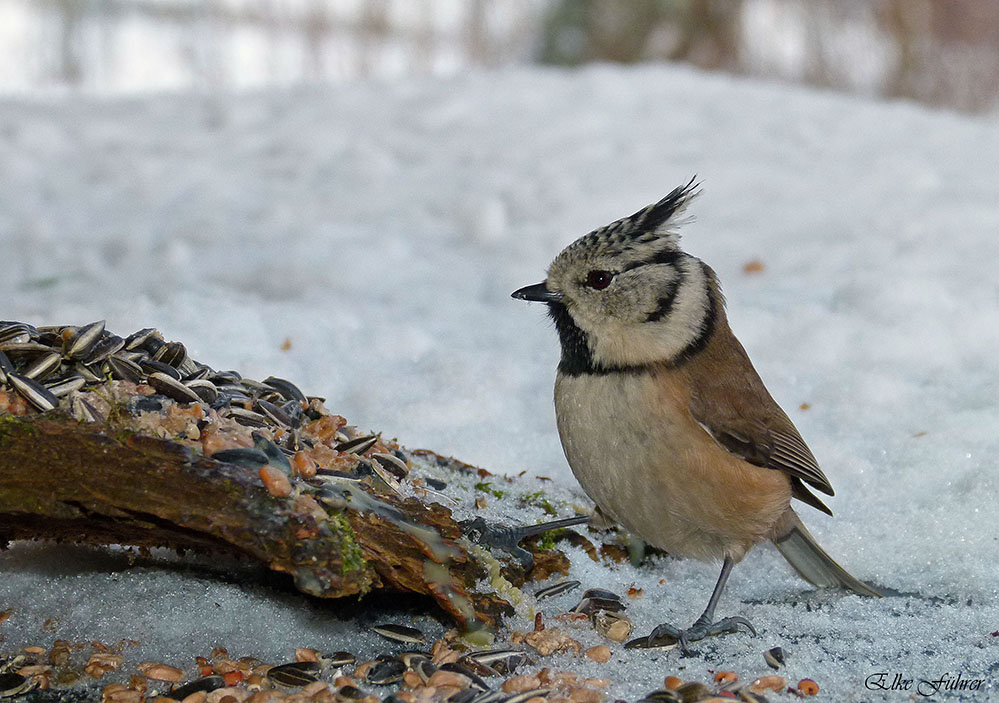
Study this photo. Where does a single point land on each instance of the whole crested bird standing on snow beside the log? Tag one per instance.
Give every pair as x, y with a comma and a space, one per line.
663, 419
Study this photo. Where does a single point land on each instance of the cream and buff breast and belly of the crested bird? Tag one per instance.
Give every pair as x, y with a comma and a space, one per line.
637, 451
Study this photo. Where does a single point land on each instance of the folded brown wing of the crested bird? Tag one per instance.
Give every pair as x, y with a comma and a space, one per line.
731, 403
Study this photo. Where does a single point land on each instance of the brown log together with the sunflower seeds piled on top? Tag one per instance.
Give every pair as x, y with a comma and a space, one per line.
118, 441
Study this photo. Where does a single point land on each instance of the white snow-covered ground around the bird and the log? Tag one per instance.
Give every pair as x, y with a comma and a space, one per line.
381, 228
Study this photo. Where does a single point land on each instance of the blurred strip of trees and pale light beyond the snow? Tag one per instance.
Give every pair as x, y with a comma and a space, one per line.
939, 52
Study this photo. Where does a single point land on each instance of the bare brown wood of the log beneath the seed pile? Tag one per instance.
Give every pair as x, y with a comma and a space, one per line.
83, 482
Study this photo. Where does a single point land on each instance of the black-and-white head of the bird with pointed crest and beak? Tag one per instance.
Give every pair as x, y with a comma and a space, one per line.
625, 295
